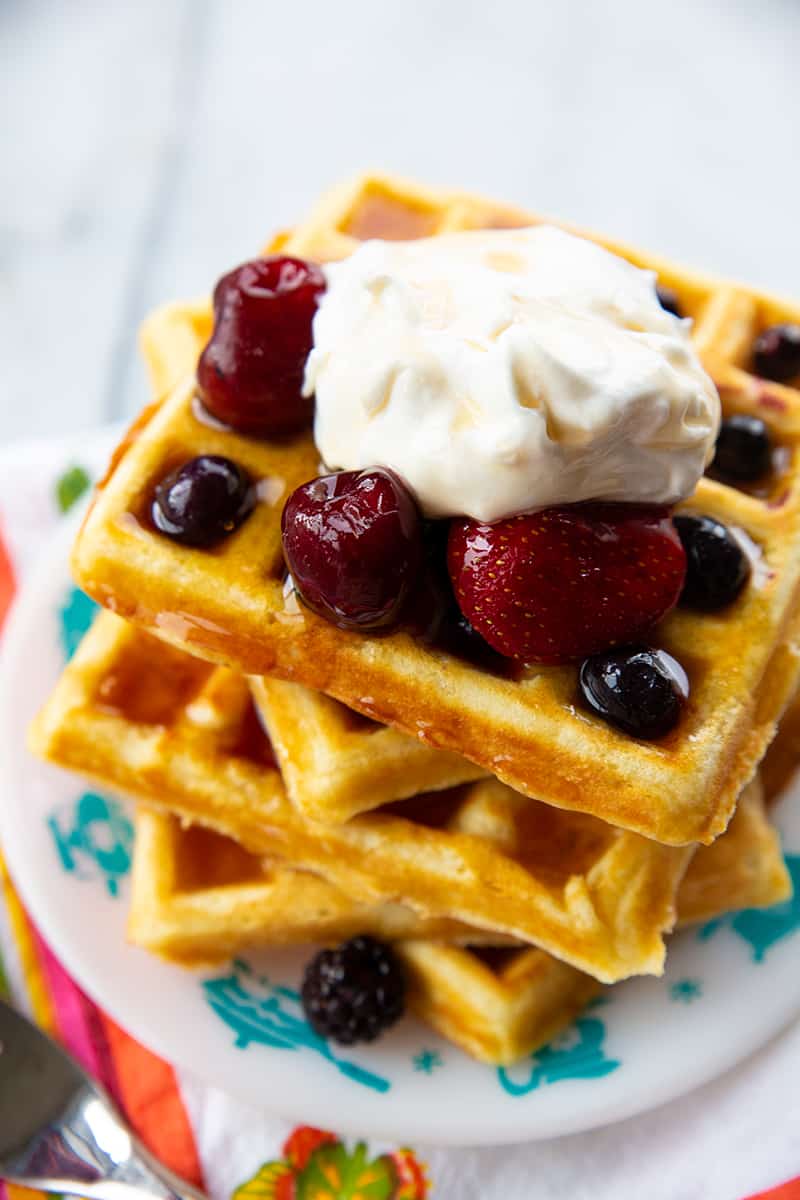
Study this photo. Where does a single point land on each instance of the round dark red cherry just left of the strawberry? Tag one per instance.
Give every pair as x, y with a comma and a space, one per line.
353, 544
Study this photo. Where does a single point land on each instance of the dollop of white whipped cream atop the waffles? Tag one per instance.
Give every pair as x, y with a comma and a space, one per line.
506, 371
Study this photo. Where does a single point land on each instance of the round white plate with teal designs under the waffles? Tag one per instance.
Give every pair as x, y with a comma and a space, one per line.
729, 987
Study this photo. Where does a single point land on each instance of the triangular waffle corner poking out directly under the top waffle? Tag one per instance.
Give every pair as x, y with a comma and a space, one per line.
336, 763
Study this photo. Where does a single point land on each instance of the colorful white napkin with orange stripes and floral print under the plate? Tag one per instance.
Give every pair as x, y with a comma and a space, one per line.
725, 1142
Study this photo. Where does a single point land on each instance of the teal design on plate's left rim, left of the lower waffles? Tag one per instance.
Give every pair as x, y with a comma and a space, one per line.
94, 841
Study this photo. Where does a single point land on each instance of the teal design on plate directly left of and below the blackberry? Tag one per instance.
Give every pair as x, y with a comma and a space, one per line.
263, 1013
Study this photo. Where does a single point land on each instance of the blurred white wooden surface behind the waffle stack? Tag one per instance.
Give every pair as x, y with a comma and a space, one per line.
146, 146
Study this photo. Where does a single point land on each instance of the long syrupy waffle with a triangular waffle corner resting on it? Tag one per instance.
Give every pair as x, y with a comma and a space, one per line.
177, 734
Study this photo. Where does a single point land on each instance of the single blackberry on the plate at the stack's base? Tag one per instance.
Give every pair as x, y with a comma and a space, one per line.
354, 993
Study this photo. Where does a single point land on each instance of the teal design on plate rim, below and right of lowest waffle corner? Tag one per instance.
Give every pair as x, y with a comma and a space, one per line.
576, 1054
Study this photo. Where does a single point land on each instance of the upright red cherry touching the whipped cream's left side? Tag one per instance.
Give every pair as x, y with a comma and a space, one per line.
251, 373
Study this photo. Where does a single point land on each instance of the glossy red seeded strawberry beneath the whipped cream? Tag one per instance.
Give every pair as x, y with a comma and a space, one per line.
562, 584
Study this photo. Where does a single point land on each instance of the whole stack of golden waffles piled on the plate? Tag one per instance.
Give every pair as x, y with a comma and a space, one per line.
300, 784
